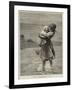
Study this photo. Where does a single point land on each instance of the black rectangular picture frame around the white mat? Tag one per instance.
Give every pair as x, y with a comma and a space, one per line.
12, 39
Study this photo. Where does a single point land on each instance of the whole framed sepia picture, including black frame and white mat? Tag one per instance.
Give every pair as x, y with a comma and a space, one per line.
39, 44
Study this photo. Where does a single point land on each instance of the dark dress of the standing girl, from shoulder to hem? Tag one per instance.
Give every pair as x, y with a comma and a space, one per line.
47, 51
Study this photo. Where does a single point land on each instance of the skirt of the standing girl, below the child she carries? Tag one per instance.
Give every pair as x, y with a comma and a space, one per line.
46, 51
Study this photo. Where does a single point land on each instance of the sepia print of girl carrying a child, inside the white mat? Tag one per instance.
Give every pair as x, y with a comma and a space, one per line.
40, 43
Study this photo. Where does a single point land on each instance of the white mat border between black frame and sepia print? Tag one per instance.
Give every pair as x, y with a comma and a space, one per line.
59, 78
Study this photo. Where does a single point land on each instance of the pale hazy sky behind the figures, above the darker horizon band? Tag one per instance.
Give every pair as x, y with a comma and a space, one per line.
32, 22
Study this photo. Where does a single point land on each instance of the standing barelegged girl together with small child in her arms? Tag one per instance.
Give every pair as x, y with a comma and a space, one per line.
47, 52
